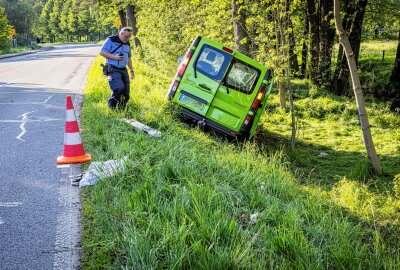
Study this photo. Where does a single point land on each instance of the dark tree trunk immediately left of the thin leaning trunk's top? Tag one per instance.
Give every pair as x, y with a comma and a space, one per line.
327, 35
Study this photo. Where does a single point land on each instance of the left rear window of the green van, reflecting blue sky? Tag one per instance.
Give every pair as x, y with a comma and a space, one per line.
213, 62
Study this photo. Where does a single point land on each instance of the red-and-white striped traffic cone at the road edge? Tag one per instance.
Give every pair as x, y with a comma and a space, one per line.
73, 147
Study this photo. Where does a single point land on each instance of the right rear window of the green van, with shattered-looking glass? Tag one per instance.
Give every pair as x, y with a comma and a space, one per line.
242, 77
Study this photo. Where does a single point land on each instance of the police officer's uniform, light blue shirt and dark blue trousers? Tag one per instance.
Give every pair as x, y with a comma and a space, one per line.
118, 78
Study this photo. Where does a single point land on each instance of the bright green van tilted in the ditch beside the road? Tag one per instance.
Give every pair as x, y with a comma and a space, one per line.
221, 88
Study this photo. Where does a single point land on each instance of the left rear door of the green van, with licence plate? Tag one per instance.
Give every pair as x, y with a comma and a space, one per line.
202, 79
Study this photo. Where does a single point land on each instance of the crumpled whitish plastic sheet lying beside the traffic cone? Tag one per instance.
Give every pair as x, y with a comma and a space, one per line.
102, 170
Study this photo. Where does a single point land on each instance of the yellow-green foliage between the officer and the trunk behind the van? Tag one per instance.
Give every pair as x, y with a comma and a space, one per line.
176, 25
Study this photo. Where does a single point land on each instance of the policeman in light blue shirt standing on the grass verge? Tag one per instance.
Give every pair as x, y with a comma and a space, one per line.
117, 52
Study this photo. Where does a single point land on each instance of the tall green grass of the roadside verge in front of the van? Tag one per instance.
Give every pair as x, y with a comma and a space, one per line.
191, 200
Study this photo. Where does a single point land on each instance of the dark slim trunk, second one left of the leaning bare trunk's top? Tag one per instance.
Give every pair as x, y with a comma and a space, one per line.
314, 42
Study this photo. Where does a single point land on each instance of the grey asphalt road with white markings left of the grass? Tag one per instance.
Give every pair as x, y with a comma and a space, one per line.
39, 210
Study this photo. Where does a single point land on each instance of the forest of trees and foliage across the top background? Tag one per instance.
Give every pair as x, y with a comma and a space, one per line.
278, 33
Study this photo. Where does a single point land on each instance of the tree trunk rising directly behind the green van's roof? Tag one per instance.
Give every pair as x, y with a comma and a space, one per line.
239, 27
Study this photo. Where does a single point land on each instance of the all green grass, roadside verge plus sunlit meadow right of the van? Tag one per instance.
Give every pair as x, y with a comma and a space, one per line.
192, 200
